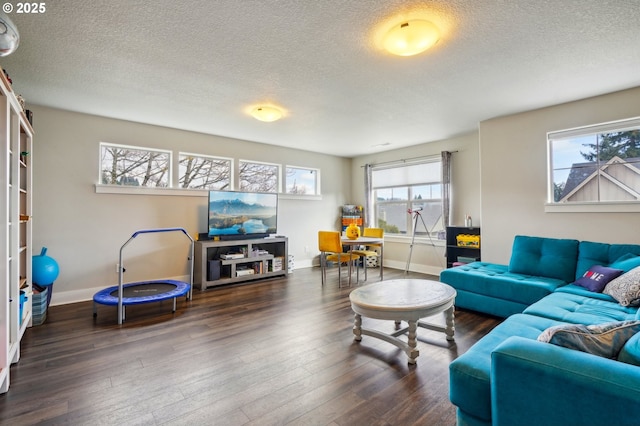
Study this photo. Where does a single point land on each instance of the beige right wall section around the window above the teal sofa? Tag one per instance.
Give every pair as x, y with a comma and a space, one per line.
513, 175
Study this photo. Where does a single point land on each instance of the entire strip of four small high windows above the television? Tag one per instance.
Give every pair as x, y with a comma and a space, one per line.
125, 169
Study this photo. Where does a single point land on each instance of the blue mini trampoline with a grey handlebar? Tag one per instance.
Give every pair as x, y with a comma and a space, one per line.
137, 293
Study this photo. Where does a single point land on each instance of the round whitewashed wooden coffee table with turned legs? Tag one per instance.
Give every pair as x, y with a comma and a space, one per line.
403, 300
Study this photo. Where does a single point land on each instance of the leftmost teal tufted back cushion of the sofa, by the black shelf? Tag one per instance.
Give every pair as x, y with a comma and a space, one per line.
544, 257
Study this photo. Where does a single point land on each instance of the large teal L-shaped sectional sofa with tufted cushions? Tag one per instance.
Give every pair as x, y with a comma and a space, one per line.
509, 377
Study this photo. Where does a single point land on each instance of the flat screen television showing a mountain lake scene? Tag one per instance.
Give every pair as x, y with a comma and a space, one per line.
237, 215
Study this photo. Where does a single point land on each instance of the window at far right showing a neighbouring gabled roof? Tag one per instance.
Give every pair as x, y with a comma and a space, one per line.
595, 164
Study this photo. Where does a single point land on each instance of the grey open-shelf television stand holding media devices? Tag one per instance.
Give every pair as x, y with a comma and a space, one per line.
254, 259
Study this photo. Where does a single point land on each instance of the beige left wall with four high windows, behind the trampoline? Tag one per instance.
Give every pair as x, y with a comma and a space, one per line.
84, 230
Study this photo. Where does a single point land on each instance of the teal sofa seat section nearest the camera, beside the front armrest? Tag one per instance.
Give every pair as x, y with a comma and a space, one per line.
469, 374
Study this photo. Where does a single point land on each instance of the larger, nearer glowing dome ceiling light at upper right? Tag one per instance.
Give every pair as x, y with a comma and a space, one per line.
411, 37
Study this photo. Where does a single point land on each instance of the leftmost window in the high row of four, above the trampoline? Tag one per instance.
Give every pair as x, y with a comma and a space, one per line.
134, 166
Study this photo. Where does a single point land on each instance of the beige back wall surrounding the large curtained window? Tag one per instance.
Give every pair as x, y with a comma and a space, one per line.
465, 197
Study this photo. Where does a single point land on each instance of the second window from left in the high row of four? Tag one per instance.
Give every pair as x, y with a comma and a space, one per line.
203, 172
